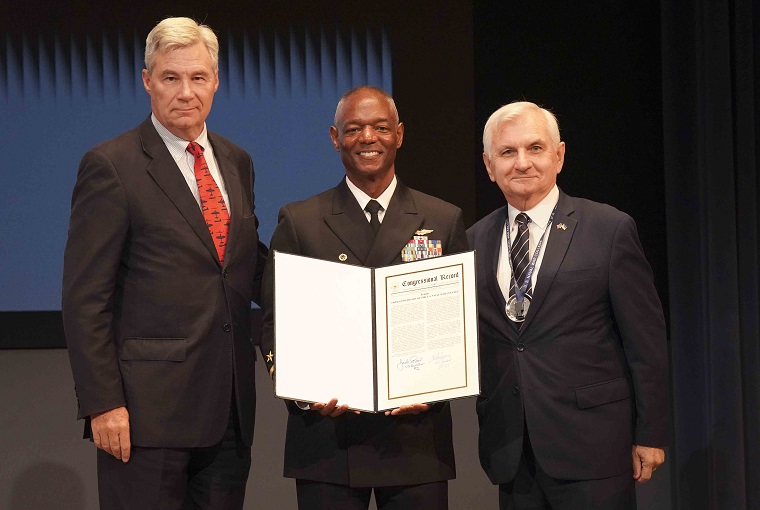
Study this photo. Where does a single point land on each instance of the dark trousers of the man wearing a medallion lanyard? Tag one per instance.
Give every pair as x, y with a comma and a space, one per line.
533, 489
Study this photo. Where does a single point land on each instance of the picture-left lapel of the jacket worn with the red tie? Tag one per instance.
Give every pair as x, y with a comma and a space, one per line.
167, 175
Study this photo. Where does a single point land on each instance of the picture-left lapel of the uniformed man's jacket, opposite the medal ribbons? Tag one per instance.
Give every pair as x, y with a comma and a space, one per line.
349, 224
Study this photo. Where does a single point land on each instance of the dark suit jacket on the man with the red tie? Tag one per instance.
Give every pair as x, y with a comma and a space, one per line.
152, 320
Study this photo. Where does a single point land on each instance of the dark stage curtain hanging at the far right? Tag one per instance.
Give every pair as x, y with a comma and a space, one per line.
711, 93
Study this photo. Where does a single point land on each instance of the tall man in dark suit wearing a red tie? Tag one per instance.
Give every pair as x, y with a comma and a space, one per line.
161, 264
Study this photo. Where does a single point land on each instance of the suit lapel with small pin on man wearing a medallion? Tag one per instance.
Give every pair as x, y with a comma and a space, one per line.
556, 248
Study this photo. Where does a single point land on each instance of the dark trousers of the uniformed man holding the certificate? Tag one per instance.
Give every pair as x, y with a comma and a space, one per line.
327, 496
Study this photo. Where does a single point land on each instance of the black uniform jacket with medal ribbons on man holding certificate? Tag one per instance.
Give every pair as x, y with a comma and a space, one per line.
364, 450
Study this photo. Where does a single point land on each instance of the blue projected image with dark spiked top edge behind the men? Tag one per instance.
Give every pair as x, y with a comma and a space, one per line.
62, 94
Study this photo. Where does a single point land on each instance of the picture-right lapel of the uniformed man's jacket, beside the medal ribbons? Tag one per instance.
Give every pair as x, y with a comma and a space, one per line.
400, 222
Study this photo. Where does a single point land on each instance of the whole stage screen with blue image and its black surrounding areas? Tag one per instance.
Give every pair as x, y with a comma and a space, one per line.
70, 78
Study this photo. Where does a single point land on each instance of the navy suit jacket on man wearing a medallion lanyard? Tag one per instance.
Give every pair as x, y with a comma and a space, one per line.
587, 373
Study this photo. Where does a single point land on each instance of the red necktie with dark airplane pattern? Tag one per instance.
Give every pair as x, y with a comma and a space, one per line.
212, 202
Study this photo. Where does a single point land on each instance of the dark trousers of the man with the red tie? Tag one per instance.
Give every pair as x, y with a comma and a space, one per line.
211, 478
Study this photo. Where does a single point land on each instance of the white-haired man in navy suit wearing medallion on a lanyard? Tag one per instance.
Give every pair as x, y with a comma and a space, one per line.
574, 390
